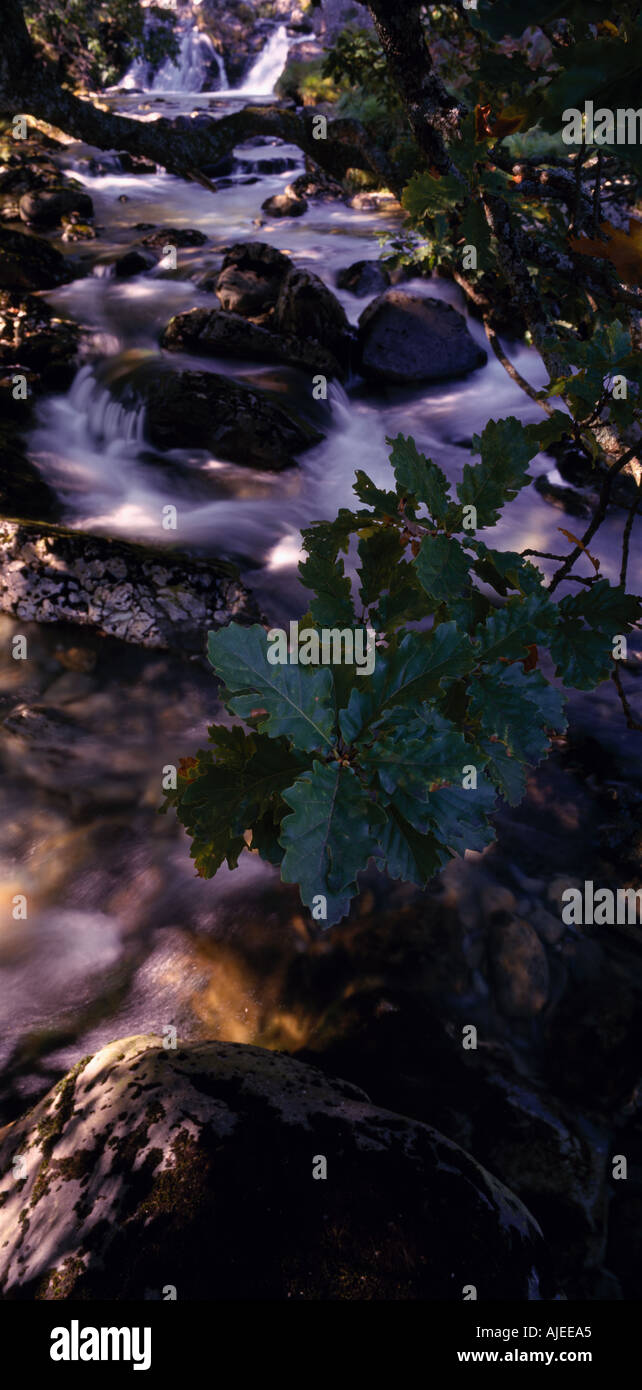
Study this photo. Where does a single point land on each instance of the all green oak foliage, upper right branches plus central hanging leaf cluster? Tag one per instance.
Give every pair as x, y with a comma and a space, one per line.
405, 767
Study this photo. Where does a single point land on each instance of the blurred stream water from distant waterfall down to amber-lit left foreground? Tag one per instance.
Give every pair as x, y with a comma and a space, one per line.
122, 938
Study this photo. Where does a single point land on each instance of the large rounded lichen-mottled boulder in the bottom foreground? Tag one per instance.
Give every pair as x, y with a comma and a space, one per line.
197, 1168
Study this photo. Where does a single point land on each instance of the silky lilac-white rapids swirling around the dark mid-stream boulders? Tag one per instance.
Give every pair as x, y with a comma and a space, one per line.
113, 482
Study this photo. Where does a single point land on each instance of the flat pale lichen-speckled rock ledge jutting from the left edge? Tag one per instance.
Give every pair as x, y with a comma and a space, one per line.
154, 598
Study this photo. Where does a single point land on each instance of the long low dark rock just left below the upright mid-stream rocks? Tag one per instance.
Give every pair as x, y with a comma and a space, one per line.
217, 334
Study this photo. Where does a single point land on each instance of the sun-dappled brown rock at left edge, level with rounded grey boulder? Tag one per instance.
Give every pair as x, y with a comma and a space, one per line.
34, 337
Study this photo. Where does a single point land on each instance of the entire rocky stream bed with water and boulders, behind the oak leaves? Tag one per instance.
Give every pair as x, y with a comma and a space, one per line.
154, 484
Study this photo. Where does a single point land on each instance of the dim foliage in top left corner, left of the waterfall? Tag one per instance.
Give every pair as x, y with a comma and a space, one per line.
94, 41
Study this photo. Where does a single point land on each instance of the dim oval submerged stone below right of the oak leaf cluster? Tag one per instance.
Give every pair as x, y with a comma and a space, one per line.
520, 970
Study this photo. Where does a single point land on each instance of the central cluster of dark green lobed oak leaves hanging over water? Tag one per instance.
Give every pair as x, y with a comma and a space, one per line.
402, 767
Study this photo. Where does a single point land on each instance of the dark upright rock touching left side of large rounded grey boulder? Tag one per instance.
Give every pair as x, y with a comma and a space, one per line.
308, 309
